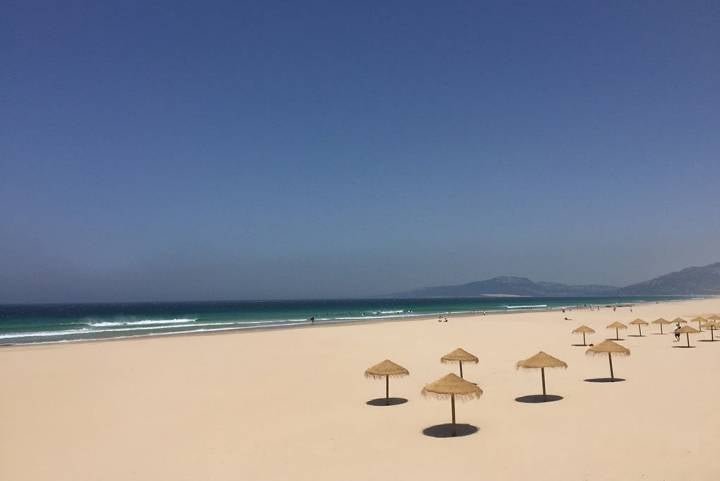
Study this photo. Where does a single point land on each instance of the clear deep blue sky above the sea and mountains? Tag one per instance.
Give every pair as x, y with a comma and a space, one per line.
176, 150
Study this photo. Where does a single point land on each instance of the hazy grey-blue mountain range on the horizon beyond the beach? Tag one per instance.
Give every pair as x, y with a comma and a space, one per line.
691, 281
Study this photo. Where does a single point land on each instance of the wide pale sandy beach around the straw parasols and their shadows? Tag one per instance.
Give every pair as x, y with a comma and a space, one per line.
291, 404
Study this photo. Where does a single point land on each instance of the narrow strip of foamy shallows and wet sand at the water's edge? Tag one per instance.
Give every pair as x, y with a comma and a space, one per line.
344, 322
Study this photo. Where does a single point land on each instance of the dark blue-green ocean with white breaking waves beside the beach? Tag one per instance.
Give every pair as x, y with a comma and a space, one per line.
35, 323
